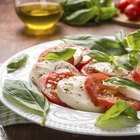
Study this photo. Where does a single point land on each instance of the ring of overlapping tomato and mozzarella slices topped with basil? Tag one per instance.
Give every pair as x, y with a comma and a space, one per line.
72, 76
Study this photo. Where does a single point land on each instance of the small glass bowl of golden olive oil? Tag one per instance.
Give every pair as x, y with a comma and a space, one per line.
39, 16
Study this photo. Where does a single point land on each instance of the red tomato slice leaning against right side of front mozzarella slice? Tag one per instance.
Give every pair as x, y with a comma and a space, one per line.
93, 85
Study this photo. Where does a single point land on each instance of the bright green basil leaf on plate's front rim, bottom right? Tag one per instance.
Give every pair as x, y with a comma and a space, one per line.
120, 115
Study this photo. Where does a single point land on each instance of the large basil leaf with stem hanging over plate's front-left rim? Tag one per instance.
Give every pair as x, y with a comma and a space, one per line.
26, 96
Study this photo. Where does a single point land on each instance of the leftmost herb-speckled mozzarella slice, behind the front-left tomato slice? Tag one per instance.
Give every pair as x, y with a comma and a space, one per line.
44, 67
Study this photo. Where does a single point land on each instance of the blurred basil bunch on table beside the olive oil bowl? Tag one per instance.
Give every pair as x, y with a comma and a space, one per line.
80, 12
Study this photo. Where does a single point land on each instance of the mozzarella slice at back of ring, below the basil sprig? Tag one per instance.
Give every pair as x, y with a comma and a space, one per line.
107, 68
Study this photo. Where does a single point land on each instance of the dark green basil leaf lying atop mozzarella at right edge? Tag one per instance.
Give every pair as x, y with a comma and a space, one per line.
121, 82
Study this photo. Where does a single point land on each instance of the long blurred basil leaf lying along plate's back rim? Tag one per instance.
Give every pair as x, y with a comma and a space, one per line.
106, 45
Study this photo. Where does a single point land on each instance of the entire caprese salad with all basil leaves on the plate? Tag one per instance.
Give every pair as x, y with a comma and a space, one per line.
87, 73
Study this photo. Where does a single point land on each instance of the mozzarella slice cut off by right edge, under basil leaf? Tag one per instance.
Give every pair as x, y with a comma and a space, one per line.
130, 92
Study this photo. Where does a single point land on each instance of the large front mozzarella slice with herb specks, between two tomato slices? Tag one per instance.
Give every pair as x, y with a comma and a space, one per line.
72, 92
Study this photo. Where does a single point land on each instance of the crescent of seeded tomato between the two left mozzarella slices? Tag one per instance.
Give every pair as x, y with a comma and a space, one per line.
48, 84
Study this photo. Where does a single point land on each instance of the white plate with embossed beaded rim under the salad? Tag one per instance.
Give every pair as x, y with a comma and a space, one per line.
59, 118
